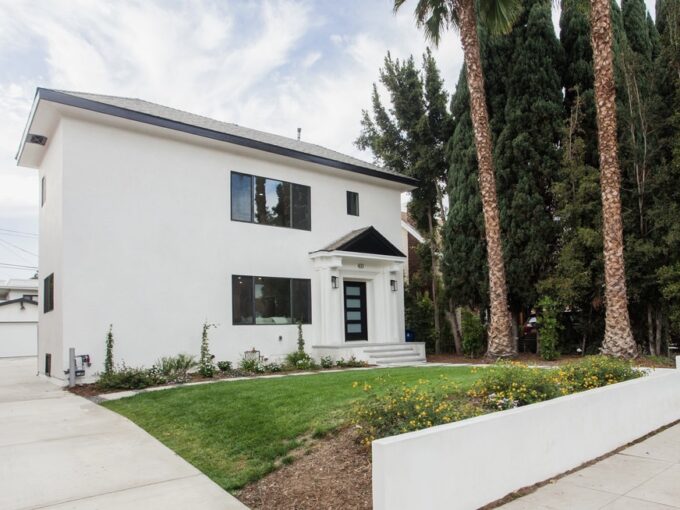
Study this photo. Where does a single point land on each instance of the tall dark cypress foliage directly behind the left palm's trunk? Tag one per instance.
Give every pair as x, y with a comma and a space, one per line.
525, 107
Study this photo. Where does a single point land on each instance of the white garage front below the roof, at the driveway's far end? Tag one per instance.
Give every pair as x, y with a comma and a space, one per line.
18, 330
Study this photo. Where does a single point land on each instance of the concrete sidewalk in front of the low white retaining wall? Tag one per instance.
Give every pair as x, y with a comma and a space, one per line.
645, 476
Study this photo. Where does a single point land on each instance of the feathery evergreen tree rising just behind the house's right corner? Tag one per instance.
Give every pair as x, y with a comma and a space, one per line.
410, 137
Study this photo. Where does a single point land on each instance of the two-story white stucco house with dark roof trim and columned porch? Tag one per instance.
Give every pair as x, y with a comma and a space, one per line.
156, 220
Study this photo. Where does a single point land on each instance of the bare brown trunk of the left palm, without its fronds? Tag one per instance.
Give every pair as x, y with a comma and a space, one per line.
500, 339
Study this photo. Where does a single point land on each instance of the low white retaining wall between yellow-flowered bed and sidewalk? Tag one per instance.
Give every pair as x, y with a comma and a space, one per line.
468, 464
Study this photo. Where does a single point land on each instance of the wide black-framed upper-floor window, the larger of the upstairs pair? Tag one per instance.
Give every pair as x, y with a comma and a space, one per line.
256, 199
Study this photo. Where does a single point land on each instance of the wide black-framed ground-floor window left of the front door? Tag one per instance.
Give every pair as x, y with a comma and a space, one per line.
270, 300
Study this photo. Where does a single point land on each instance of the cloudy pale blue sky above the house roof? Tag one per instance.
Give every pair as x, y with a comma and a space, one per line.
273, 65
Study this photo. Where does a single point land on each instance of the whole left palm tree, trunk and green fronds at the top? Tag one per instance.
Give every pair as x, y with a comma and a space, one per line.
498, 15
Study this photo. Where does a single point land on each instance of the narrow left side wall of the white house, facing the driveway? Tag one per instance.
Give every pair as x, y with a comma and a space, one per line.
50, 329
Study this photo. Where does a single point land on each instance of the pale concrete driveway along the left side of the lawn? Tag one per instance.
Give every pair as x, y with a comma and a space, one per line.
60, 451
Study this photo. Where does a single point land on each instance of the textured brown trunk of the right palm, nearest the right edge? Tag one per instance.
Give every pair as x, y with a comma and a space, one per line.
618, 337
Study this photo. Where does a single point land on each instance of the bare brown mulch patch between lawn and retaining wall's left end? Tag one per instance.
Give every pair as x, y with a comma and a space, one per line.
333, 474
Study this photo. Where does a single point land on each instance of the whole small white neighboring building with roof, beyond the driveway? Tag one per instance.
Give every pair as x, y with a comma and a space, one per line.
18, 318
